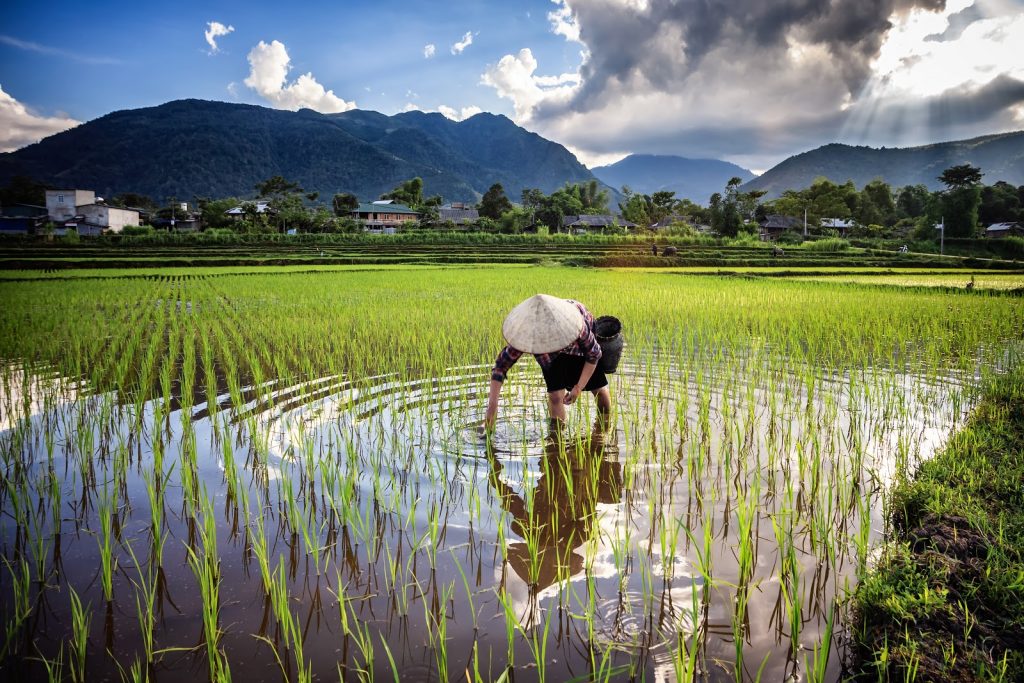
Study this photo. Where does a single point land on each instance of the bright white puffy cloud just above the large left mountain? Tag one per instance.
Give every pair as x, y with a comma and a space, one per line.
269, 67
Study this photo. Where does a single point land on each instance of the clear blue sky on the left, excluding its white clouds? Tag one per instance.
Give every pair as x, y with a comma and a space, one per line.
129, 55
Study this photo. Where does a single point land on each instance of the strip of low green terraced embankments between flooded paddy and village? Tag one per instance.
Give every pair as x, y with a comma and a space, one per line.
584, 251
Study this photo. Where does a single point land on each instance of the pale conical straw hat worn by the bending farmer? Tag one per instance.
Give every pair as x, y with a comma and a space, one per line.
543, 324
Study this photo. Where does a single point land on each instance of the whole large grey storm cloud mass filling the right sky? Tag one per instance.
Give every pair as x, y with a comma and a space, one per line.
755, 81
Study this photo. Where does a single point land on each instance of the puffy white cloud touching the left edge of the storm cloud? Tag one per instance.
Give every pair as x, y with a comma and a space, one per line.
514, 78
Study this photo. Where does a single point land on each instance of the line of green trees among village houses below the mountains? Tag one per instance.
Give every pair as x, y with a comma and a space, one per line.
964, 206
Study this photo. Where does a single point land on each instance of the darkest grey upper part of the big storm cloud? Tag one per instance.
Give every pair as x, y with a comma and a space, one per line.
670, 39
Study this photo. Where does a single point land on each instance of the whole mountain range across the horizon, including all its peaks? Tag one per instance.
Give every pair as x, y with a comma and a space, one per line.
193, 149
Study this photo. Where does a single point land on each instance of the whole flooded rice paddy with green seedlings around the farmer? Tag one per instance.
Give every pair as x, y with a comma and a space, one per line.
283, 477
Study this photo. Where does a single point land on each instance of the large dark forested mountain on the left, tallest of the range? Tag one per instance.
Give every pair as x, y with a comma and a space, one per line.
192, 148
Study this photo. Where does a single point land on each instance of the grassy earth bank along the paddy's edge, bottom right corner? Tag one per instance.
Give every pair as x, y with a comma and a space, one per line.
947, 600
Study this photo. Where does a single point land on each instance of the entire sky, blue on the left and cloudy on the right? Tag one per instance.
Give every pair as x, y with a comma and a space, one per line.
747, 81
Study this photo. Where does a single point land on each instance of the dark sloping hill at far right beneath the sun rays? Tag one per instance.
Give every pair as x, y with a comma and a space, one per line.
1000, 157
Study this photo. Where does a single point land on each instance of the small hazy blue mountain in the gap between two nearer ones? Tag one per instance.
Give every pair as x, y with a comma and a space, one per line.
696, 180
